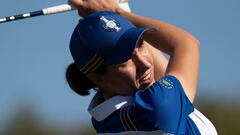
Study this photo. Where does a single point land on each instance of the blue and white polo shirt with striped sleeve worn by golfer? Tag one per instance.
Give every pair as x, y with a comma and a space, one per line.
163, 108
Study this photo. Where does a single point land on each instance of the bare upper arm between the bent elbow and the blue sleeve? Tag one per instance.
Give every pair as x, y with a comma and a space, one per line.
184, 64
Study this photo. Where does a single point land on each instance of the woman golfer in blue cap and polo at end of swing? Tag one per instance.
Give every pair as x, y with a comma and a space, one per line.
114, 52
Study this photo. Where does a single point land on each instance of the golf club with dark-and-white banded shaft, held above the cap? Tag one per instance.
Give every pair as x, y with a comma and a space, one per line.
53, 10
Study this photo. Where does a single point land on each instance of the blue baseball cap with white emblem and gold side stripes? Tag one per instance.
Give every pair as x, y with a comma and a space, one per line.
103, 37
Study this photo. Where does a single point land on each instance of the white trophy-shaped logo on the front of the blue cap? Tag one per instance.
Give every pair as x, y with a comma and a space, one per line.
110, 24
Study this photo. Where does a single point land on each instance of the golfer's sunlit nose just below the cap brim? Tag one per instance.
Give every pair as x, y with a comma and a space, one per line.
141, 61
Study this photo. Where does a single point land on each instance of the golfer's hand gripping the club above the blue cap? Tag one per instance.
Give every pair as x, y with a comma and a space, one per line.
86, 7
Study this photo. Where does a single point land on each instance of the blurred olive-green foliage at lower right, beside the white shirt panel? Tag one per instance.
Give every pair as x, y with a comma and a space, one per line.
225, 117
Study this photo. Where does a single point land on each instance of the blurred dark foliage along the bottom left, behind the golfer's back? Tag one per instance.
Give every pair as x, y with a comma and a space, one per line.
26, 122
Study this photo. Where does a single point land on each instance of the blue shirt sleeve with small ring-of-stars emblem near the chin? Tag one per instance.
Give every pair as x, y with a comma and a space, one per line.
163, 106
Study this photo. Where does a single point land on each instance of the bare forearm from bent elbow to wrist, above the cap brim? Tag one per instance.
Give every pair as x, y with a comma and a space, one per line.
166, 37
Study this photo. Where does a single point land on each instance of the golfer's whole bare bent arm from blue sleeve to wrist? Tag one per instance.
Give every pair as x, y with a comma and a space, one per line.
182, 47
